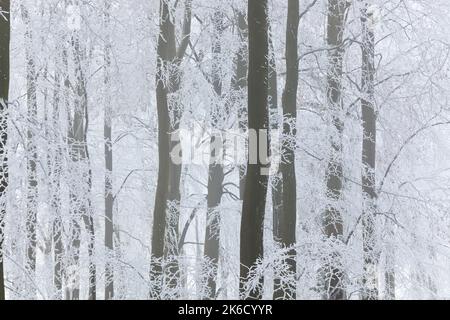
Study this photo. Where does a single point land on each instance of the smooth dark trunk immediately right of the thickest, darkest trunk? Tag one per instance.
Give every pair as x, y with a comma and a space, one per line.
287, 218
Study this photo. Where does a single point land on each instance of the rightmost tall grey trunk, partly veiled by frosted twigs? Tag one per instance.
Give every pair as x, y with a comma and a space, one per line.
369, 122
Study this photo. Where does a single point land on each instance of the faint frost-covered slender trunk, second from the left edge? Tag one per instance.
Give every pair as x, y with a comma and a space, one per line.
31, 148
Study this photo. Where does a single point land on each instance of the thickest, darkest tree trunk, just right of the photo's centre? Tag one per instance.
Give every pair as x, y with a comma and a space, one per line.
251, 248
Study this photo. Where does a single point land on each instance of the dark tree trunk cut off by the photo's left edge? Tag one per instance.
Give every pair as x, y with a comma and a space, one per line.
5, 31
